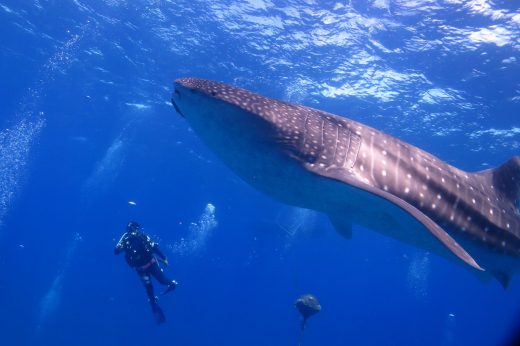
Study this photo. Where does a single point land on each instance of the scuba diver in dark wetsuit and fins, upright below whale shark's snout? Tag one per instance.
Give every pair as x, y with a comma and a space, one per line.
142, 254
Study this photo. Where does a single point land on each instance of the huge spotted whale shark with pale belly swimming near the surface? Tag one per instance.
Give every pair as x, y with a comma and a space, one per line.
356, 174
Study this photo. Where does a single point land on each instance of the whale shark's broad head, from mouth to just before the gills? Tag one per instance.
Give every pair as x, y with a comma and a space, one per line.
259, 138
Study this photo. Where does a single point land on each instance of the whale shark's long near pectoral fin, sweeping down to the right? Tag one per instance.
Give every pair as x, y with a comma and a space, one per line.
438, 232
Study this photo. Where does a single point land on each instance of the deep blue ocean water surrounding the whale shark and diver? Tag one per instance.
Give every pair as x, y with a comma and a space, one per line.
89, 140
